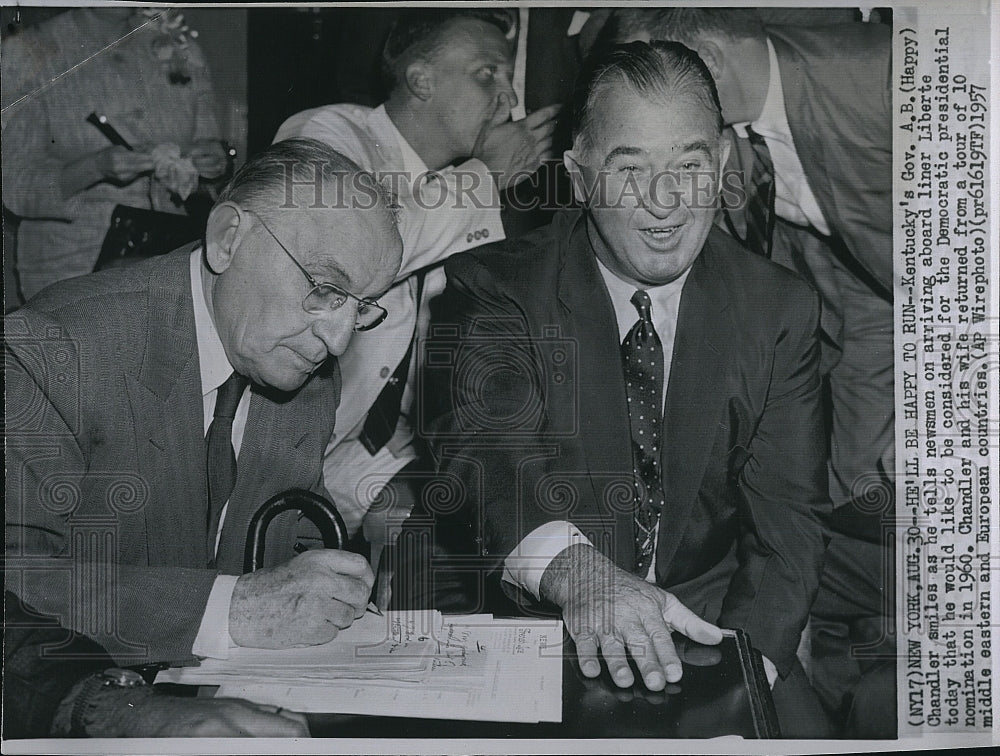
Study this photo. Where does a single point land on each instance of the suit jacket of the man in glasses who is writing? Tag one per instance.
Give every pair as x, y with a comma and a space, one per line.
106, 523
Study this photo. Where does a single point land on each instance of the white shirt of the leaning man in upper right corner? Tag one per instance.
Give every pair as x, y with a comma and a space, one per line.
793, 199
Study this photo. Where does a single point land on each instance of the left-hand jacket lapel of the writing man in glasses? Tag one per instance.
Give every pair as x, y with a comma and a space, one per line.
167, 414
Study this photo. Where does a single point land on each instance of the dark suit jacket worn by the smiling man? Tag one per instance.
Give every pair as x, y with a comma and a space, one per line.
524, 404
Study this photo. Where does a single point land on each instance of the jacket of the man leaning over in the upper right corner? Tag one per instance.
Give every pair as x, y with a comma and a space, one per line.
838, 98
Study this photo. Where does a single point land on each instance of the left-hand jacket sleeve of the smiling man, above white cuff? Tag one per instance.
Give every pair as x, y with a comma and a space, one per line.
481, 373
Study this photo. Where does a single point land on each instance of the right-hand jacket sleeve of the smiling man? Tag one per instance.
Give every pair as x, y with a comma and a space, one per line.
783, 487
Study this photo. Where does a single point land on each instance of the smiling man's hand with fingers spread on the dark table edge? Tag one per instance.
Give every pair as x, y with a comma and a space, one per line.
613, 613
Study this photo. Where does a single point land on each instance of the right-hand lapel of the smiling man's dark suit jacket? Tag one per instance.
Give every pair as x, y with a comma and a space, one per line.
695, 394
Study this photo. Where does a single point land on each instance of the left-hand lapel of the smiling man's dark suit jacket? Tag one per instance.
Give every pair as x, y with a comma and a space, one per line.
602, 406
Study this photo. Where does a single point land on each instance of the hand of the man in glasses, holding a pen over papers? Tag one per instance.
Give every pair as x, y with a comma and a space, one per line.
303, 602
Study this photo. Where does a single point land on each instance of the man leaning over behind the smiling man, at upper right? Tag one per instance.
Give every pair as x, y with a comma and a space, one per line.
814, 105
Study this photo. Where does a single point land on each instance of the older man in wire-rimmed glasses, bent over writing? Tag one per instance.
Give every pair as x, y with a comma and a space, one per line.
152, 409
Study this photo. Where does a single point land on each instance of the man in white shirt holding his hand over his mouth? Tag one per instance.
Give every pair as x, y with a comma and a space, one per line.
444, 143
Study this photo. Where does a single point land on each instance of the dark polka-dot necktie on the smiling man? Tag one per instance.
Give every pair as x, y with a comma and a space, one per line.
642, 359
